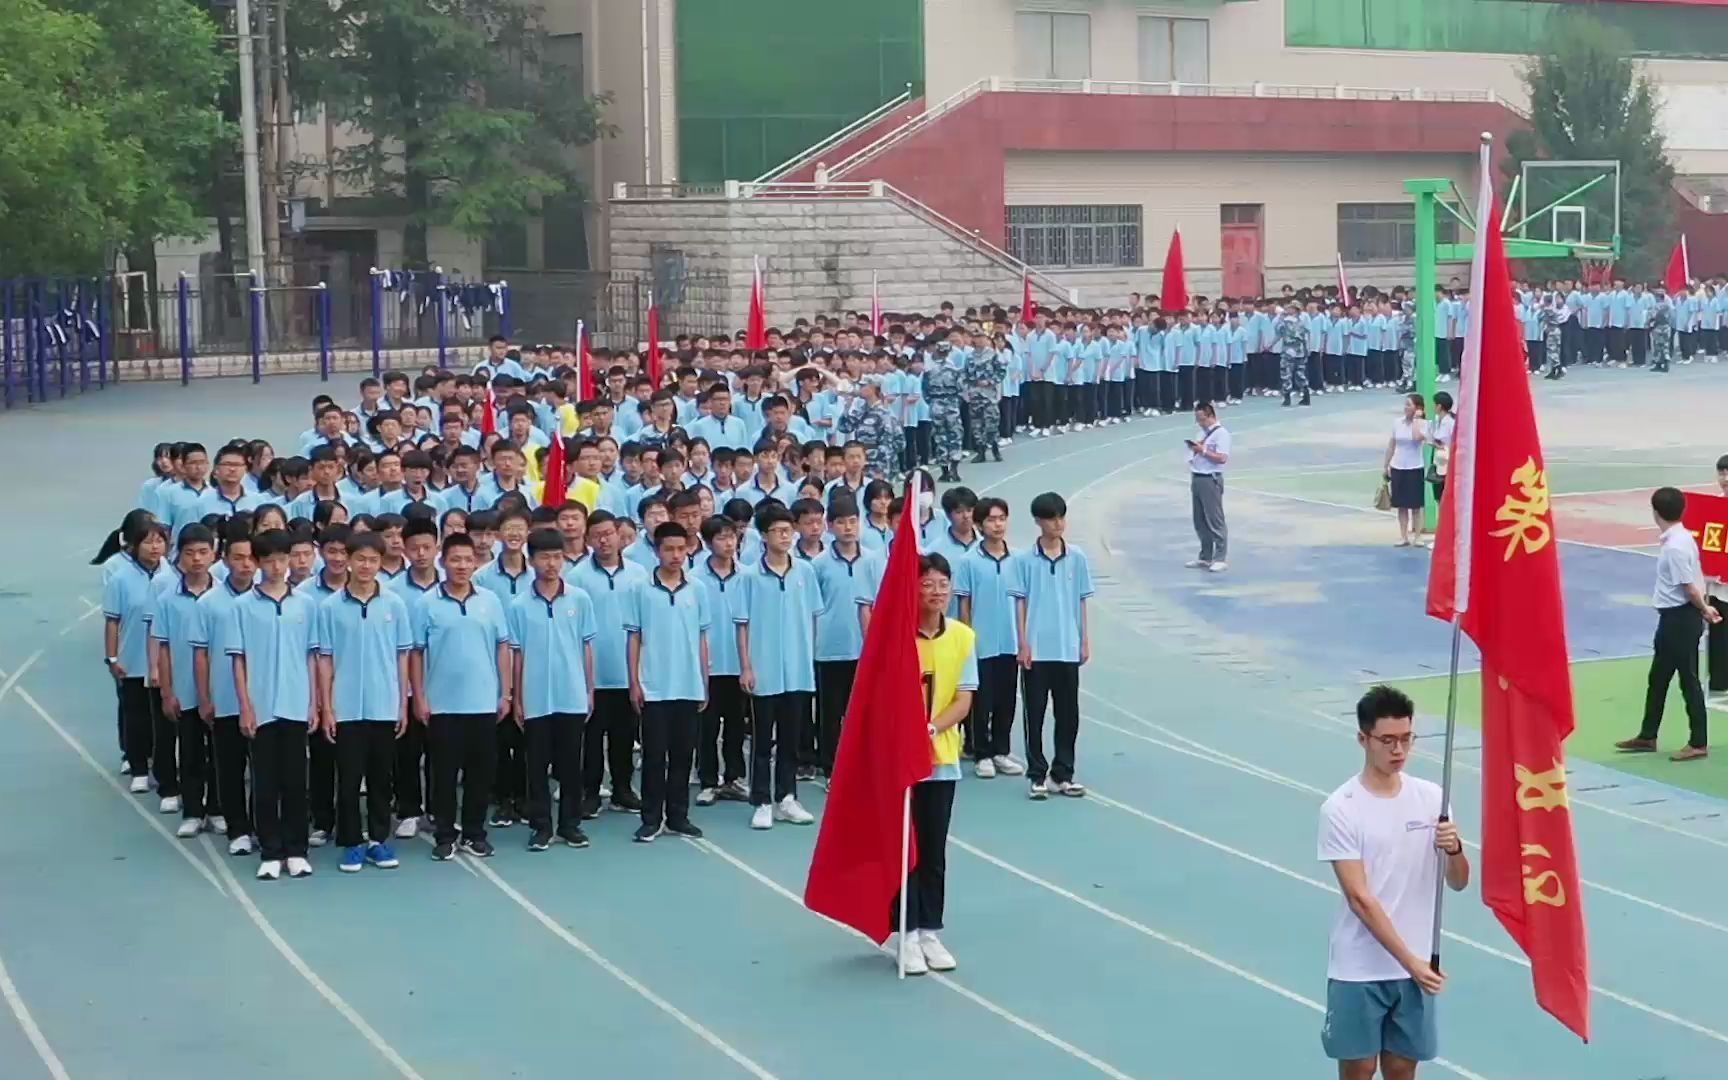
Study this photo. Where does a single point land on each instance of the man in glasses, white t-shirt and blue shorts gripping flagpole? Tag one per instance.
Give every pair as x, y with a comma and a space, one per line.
1380, 832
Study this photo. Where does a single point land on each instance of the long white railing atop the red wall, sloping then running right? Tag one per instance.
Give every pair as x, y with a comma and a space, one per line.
1267, 91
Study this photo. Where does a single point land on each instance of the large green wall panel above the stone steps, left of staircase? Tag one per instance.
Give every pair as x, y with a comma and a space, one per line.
761, 80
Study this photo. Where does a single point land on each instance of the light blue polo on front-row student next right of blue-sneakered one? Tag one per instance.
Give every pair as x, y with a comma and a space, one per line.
461, 640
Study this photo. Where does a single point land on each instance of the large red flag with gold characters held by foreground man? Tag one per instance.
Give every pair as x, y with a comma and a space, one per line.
1497, 571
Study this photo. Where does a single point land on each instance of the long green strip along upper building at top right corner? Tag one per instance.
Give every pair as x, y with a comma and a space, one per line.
1511, 27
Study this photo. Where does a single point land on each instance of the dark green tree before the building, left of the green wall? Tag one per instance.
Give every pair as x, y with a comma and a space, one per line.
467, 122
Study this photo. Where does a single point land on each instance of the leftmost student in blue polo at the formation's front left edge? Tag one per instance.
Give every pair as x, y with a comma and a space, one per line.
129, 599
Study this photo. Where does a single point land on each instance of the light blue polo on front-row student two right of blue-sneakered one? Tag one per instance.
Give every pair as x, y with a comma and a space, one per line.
552, 637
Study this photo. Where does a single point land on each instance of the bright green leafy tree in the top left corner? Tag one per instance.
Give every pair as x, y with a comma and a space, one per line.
108, 108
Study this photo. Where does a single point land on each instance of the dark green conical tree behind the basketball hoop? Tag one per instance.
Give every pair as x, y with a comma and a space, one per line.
1587, 101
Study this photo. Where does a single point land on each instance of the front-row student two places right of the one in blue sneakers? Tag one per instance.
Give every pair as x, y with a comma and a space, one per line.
552, 640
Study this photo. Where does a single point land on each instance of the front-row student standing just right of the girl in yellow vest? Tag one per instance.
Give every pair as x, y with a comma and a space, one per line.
1050, 590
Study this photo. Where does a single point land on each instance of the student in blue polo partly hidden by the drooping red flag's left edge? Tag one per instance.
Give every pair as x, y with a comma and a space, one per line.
849, 576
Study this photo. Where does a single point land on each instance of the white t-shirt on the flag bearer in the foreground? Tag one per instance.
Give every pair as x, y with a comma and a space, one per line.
1395, 842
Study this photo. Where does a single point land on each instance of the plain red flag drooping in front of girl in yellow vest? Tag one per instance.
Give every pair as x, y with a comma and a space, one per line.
884, 751
